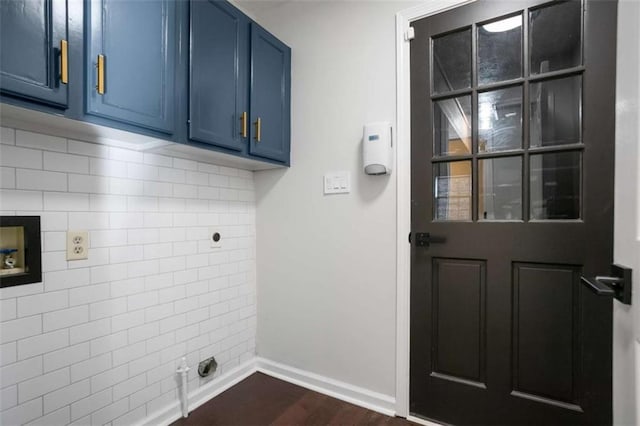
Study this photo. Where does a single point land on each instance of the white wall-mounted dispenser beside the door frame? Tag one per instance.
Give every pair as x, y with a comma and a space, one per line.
377, 148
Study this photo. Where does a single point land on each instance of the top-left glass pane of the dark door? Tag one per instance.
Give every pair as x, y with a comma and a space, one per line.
452, 62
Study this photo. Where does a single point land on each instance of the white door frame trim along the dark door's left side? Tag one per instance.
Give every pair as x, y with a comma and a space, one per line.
403, 191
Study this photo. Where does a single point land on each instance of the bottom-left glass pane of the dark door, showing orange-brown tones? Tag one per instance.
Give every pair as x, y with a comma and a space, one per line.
452, 190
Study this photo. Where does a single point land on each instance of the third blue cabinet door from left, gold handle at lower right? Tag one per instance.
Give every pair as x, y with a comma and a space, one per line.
218, 74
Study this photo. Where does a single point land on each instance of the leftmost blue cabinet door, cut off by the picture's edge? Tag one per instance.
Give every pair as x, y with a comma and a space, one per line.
32, 34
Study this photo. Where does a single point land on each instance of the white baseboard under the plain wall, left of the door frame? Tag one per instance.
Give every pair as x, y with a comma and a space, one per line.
381, 403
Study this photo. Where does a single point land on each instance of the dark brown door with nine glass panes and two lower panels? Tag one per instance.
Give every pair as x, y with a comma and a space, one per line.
512, 173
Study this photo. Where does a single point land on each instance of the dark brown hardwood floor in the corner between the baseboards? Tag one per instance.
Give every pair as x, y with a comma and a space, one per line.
264, 400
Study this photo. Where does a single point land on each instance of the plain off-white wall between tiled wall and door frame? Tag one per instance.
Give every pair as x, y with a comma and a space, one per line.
326, 264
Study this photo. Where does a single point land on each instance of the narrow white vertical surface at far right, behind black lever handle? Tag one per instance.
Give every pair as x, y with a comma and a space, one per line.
626, 397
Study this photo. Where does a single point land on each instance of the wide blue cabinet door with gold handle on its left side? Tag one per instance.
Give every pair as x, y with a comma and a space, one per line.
137, 41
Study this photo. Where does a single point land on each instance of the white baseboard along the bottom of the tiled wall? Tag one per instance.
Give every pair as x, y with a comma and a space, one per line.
201, 395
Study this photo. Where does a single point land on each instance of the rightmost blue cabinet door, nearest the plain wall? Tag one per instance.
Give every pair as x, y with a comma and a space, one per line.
270, 94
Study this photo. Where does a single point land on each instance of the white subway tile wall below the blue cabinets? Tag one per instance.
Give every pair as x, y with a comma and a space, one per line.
99, 340
